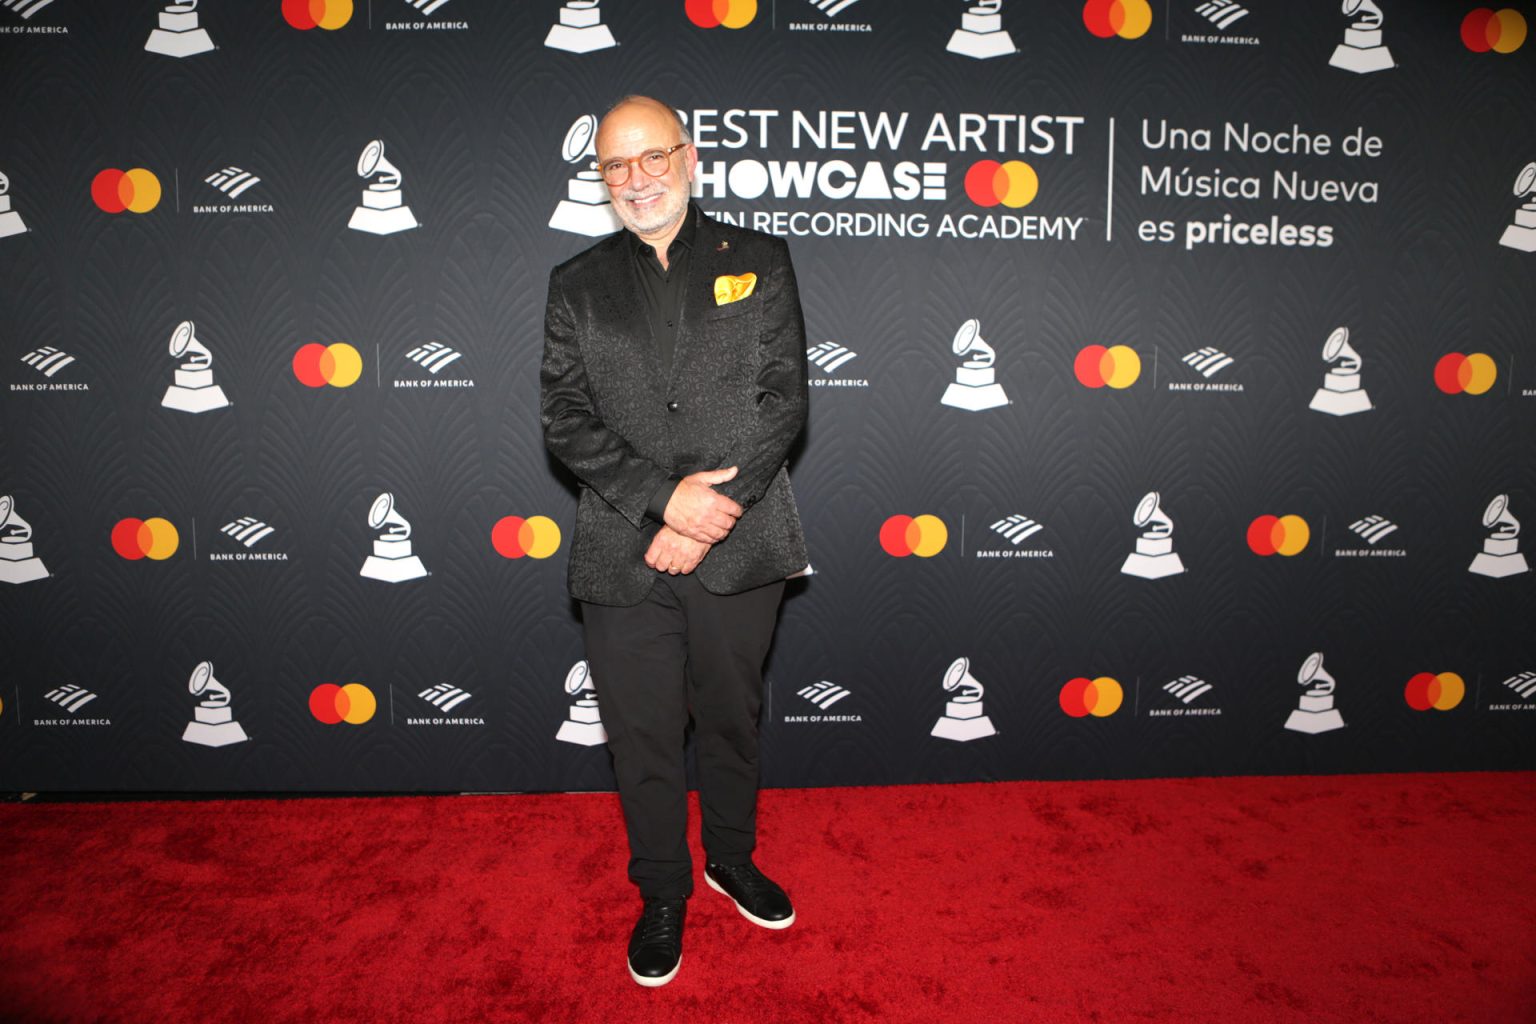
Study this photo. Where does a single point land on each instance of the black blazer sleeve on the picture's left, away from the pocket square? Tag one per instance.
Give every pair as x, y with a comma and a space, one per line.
575, 434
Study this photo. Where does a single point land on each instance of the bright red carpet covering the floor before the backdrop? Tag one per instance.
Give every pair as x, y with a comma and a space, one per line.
1322, 899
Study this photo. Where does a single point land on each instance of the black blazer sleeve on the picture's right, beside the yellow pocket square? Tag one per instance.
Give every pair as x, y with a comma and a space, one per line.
783, 395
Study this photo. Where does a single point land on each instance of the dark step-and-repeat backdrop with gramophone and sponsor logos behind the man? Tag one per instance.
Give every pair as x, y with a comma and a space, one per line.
1173, 365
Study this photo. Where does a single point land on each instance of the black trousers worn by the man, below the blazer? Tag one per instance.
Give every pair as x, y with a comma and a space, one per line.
683, 650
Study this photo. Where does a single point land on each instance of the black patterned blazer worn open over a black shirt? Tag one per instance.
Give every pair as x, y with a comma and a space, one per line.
737, 397
